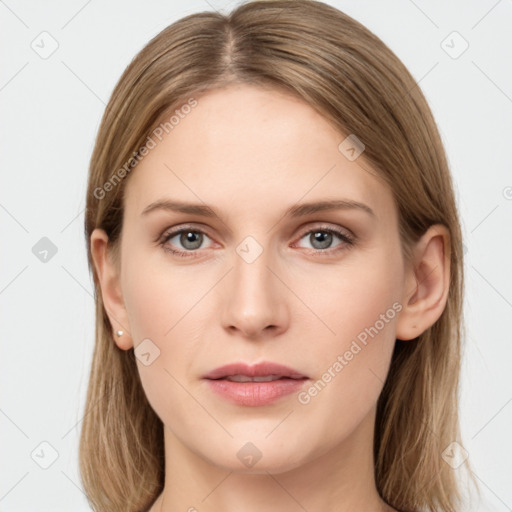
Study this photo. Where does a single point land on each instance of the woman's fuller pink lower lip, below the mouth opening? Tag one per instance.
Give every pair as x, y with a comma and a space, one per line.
255, 393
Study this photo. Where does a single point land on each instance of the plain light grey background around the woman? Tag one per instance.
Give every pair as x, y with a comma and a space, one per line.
50, 112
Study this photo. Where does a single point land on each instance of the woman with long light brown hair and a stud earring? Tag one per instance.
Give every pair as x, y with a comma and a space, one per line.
277, 256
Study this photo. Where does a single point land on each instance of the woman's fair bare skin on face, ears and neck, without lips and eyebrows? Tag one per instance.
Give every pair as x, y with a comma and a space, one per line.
250, 153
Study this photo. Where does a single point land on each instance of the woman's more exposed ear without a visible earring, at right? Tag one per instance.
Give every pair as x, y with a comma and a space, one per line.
426, 285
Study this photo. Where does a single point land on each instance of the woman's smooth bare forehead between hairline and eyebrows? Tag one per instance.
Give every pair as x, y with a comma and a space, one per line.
245, 147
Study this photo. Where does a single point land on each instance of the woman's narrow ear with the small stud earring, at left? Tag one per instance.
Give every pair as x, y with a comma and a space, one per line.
109, 280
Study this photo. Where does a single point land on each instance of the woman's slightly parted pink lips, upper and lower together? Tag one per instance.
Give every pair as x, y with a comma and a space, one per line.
255, 393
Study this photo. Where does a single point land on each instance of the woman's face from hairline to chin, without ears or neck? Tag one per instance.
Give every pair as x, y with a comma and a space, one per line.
261, 279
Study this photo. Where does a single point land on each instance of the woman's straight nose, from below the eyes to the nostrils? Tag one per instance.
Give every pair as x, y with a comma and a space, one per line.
254, 299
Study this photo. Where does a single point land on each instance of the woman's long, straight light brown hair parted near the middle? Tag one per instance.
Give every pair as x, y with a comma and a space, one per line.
351, 77
